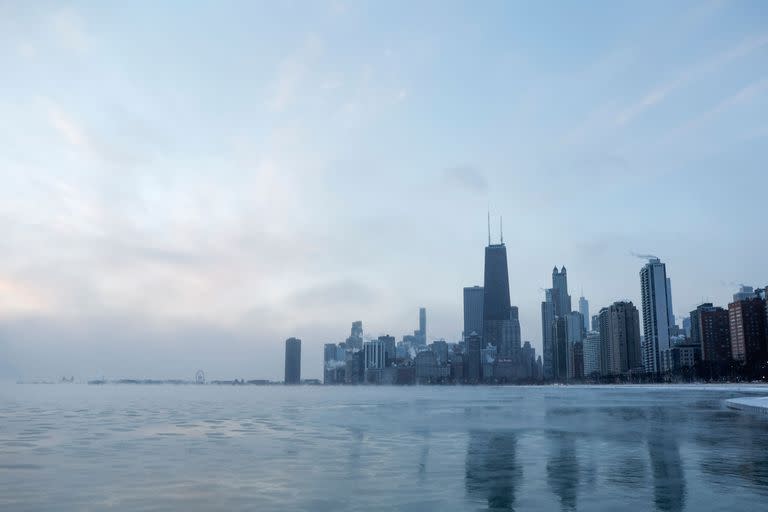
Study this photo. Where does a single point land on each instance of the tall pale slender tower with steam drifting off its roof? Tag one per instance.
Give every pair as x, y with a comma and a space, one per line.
657, 313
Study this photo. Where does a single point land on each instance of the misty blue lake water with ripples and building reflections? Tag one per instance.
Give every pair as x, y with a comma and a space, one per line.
123, 447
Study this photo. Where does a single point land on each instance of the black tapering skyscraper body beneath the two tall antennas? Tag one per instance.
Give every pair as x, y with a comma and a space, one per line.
496, 306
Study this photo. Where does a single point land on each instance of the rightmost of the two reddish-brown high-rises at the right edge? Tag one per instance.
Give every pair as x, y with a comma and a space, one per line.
747, 319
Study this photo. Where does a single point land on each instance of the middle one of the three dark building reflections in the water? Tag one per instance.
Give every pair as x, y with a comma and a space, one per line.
563, 471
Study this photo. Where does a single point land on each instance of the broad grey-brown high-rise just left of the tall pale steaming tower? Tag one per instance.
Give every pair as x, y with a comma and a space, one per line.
620, 338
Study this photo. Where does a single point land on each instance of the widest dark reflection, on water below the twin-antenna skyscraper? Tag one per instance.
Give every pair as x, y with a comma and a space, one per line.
492, 473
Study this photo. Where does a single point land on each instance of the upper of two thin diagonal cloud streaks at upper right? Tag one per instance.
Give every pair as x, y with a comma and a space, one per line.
662, 91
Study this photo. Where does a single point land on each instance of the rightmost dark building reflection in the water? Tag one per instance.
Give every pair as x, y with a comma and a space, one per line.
666, 463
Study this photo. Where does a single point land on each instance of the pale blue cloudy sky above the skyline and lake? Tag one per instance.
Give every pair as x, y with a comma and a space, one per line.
185, 185
